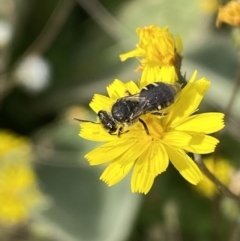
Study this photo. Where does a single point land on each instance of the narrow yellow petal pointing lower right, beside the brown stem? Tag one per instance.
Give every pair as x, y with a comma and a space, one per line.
184, 164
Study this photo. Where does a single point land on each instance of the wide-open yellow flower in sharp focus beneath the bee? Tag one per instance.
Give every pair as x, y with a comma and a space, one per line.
170, 138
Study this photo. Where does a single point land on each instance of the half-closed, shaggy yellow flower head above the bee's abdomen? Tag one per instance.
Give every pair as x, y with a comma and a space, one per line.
157, 52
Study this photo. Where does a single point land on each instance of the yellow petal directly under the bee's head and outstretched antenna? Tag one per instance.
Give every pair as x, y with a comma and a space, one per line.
95, 132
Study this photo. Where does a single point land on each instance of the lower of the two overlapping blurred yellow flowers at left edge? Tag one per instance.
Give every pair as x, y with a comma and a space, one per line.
18, 192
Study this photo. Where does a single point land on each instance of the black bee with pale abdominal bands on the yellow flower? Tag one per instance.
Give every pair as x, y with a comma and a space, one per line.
153, 98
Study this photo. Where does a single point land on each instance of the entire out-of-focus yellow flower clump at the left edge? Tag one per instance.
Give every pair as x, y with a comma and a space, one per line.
19, 194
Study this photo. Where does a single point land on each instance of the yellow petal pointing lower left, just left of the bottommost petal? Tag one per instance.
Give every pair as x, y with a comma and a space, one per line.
115, 172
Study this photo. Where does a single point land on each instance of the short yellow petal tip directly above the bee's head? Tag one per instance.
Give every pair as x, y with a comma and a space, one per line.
101, 102
